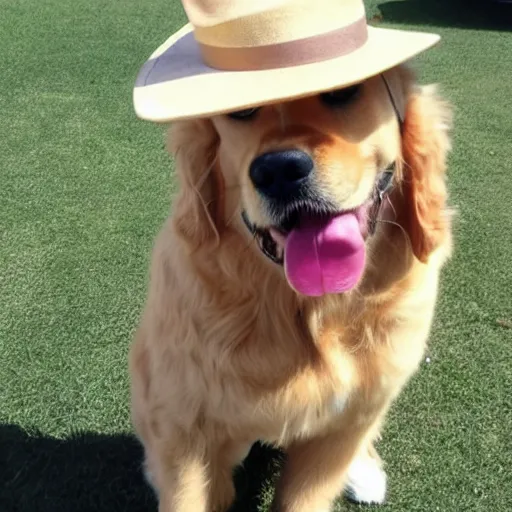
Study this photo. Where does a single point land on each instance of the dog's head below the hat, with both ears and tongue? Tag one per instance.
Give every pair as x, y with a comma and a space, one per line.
303, 174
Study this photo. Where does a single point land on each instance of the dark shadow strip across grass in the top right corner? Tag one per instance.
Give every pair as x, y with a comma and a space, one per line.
471, 14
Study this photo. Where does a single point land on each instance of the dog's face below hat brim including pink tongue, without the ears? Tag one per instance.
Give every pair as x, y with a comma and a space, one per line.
307, 171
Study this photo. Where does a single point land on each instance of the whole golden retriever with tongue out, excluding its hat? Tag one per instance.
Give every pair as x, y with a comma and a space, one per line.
249, 335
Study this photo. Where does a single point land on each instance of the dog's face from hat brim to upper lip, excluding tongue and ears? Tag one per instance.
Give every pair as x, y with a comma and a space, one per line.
317, 155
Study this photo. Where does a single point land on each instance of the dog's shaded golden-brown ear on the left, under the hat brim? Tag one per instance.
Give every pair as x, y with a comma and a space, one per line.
198, 206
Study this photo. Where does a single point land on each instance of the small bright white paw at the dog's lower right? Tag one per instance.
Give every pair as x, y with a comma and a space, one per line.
366, 481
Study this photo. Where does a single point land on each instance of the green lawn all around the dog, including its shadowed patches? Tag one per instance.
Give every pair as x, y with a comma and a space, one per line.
84, 187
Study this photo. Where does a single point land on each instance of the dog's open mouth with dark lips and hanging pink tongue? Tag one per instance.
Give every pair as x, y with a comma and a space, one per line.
323, 251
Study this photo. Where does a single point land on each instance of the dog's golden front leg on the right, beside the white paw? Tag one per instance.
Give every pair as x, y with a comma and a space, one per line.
316, 470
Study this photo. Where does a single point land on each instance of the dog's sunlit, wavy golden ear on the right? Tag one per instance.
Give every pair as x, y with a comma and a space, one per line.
425, 145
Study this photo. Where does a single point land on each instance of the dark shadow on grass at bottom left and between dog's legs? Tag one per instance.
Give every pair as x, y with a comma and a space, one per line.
100, 473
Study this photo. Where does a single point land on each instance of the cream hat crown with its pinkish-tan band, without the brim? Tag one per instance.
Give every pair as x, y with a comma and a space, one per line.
262, 34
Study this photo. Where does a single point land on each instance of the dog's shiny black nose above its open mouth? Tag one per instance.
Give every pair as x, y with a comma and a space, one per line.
281, 174
